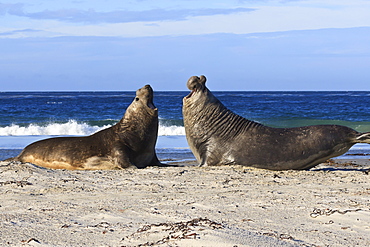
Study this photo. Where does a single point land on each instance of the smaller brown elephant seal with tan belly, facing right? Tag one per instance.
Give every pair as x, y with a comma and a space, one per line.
129, 143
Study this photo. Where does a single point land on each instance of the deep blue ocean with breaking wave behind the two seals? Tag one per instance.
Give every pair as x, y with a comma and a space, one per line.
29, 116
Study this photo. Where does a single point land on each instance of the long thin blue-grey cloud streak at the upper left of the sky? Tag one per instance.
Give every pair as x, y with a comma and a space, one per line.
120, 16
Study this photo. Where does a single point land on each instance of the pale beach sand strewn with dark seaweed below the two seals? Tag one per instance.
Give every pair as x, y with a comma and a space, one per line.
186, 206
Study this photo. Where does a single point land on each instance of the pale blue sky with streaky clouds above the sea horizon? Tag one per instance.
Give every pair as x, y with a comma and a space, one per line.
243, 45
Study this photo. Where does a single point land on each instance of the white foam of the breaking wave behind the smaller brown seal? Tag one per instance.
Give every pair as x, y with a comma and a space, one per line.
72, 127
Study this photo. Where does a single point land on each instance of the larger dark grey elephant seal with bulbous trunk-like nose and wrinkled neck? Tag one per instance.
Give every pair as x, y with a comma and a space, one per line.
217, 136
